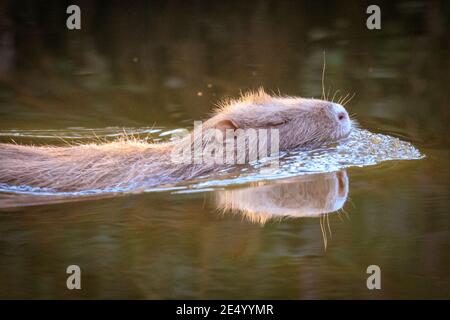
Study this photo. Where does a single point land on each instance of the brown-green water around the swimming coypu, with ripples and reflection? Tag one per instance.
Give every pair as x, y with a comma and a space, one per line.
308, 230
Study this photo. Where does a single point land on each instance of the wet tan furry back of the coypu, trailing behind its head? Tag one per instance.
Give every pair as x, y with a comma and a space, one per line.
75, 168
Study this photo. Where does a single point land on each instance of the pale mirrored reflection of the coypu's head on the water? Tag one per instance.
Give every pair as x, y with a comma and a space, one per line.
305, 196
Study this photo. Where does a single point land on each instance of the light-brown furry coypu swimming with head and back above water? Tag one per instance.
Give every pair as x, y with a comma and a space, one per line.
129, 163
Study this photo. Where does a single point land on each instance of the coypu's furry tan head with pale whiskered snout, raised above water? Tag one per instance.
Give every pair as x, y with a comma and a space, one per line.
301, 122
